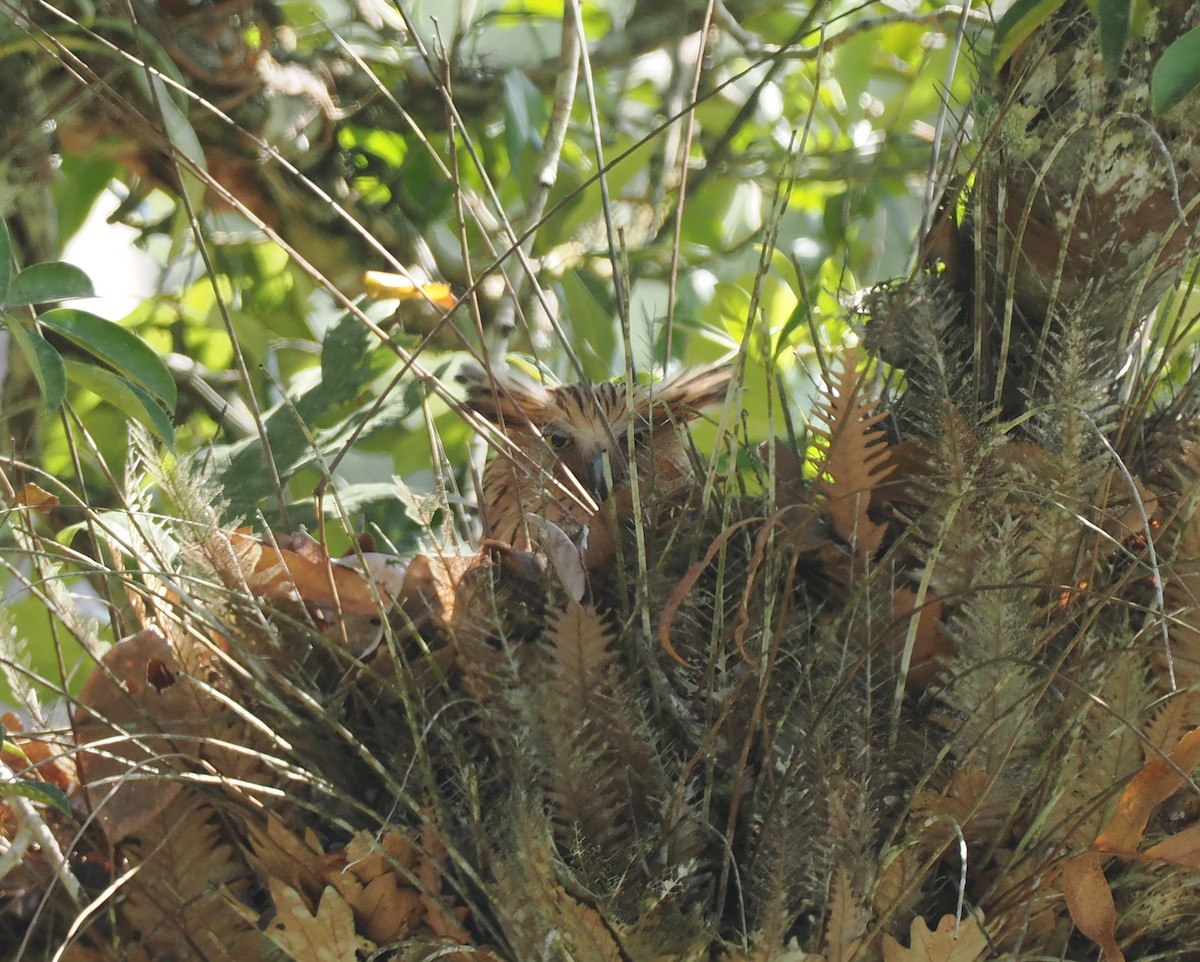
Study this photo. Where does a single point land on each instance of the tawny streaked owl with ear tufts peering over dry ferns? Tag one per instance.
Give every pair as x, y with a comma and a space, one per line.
569, 453
